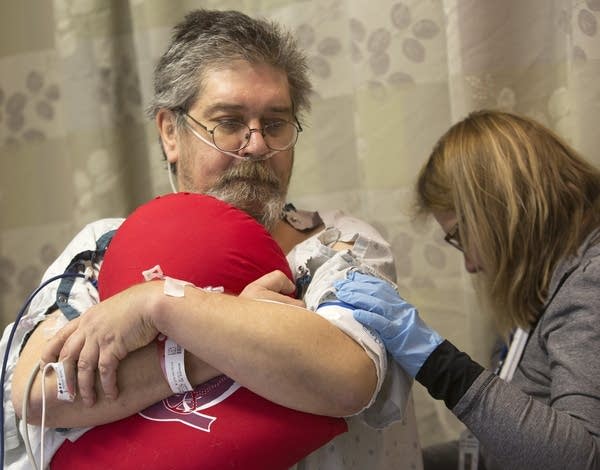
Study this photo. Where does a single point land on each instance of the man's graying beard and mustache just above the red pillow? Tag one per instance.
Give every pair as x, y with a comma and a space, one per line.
253, 188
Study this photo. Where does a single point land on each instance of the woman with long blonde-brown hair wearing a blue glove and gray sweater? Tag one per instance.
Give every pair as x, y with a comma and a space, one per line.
524, 208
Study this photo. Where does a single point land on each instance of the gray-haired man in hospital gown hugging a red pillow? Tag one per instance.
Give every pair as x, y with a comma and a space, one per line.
228, 92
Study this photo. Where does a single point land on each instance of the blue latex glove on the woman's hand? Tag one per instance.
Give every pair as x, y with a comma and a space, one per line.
378, 306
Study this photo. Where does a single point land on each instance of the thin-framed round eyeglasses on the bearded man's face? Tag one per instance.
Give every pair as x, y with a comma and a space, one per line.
232, 136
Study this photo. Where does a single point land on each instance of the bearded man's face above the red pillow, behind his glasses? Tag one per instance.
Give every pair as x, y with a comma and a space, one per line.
252, 94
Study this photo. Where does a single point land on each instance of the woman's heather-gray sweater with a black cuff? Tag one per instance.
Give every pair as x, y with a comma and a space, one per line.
548, 416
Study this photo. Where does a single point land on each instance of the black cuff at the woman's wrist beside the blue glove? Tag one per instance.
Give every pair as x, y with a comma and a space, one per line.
448, 373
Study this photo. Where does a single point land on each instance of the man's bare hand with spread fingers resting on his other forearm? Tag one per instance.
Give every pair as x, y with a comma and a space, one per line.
102, 337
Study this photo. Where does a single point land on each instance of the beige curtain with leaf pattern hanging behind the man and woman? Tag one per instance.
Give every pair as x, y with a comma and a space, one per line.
390, 76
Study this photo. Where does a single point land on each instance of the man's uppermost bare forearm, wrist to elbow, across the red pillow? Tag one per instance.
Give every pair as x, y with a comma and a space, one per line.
286, 354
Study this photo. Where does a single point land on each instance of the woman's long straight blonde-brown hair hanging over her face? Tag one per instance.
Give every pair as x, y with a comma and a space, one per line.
524, 201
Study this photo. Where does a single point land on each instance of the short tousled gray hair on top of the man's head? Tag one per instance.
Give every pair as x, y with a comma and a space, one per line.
209, 39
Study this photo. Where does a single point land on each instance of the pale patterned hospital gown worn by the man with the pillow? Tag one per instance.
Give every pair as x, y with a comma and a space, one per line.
389, 442
